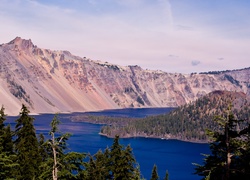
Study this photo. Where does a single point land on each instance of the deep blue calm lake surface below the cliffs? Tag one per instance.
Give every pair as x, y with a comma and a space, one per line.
172, 155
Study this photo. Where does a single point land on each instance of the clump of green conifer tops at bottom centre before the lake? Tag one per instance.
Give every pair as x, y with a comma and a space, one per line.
115, 163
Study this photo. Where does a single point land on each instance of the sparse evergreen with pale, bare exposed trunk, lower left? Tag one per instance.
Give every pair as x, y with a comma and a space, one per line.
58, 164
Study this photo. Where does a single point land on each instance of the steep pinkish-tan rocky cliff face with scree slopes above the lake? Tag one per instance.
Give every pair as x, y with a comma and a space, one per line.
57, 81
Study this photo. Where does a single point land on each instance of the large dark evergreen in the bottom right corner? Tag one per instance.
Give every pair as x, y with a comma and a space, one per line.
227, 149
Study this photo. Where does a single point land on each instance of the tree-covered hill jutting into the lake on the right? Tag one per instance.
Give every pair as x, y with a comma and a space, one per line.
187, 122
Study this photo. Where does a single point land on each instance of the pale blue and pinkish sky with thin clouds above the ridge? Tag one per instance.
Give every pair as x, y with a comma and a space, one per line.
182, 36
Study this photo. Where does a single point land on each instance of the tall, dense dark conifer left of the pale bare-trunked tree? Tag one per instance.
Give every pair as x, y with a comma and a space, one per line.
26, 146
